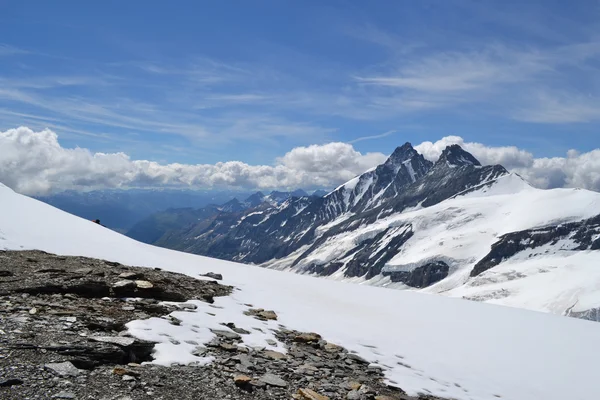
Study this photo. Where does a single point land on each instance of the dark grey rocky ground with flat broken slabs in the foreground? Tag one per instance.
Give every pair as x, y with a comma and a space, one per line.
63, 336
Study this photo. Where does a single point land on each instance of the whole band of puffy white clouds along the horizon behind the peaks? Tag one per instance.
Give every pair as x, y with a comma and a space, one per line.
35, 163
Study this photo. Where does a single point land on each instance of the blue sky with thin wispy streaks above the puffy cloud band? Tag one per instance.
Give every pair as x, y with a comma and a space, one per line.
202, 82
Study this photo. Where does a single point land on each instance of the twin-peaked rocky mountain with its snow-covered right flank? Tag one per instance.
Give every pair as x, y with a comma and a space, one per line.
452, 227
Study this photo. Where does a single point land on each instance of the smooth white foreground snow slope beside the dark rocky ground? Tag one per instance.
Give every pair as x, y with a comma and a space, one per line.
455, 348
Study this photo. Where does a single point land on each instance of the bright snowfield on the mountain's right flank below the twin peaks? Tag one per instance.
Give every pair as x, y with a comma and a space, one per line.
460, 231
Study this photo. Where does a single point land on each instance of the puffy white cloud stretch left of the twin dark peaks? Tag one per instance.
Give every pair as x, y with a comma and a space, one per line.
35, 163
